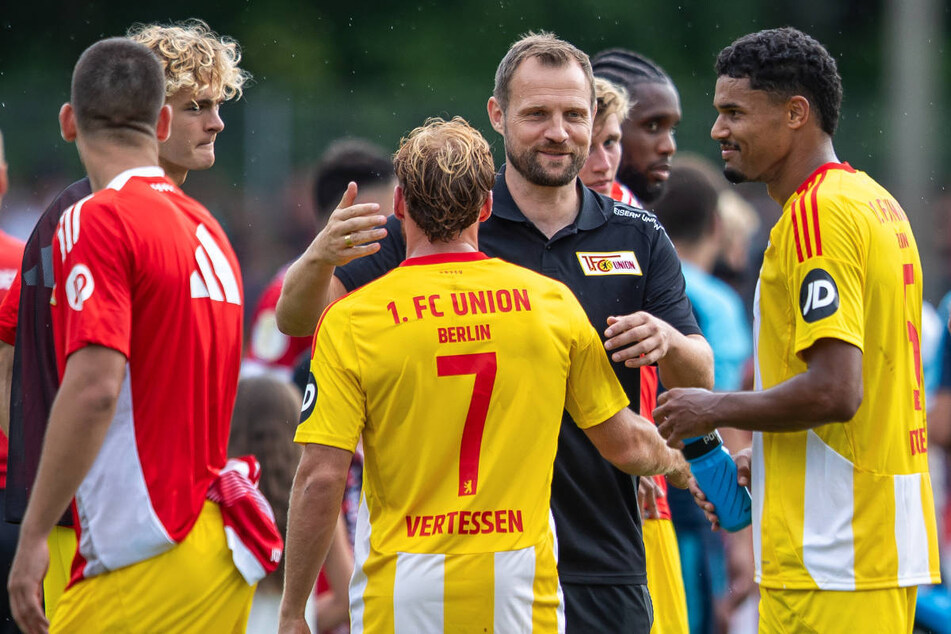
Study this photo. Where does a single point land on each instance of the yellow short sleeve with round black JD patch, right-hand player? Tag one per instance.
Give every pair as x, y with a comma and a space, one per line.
827, 290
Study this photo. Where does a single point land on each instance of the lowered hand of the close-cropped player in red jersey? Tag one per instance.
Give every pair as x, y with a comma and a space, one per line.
25, 585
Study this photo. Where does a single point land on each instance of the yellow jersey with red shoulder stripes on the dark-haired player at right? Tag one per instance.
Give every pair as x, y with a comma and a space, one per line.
844, 506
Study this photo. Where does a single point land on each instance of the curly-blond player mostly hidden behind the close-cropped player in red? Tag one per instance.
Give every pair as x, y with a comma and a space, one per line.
201, 72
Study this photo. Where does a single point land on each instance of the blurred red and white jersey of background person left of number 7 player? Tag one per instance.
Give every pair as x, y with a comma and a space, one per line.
271, 350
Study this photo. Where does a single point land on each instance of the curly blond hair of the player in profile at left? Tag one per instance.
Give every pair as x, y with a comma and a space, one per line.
194, 57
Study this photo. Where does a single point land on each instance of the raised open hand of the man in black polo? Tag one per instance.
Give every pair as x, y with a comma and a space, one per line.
349, 233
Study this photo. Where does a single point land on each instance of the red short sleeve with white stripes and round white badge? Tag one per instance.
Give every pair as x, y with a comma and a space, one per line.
92, 269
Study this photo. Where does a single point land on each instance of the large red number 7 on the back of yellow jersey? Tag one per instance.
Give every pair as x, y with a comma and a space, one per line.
483, 365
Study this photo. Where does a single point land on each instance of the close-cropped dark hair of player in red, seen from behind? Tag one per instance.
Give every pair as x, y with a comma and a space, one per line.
118, 87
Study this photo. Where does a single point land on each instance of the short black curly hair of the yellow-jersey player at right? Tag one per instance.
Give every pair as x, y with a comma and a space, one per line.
787, 62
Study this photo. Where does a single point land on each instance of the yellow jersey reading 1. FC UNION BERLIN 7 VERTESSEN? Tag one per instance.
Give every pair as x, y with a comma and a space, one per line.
456, 369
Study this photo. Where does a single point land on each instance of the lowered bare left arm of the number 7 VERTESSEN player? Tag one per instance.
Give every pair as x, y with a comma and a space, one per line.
312, 517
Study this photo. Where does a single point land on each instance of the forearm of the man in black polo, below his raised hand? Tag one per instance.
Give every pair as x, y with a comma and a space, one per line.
304, 295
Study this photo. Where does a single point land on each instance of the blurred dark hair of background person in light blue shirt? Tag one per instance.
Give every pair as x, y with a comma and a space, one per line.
688, 207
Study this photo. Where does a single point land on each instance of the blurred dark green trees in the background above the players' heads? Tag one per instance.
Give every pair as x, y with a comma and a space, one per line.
377, 69
